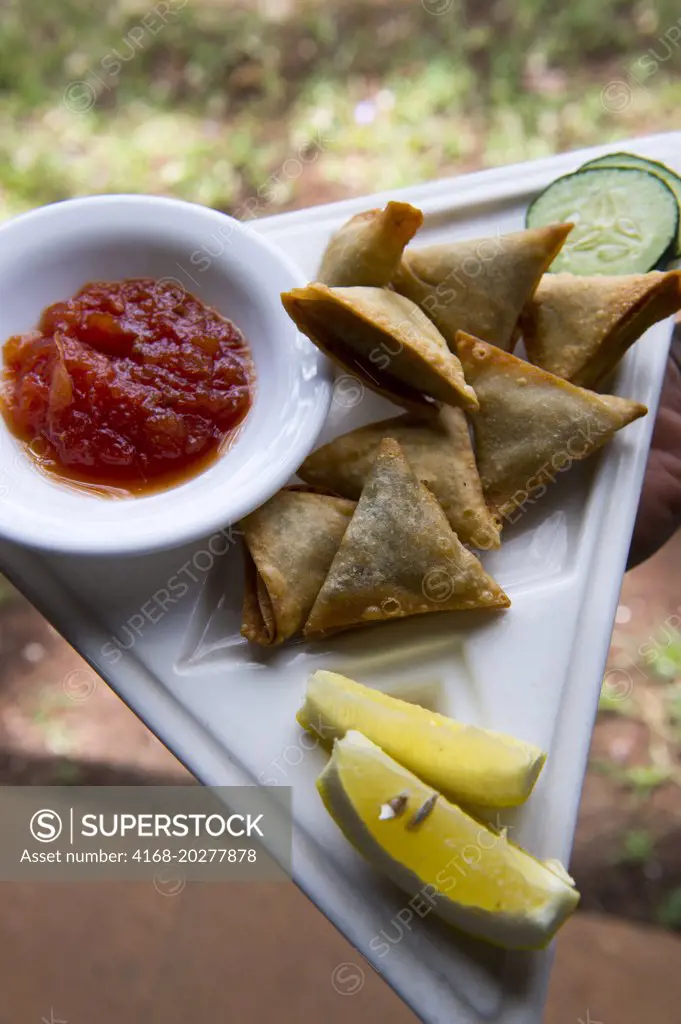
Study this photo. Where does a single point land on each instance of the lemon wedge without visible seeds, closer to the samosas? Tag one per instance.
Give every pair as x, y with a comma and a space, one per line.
473, 765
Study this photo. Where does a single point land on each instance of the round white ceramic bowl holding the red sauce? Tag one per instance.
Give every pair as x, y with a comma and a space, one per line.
49, 254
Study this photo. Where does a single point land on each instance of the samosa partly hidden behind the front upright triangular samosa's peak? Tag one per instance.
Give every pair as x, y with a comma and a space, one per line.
439, 449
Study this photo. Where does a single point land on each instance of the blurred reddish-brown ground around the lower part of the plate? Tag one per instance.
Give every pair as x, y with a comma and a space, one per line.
121, 953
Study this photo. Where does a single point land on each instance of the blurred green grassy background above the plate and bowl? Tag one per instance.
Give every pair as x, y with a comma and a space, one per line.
207, 100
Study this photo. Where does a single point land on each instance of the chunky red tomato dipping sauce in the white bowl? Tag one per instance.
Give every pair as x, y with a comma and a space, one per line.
132, 386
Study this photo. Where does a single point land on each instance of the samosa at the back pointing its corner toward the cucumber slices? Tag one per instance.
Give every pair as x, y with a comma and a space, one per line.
480, 286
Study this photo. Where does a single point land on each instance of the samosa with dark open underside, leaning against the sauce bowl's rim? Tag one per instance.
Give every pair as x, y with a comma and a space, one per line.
382, 339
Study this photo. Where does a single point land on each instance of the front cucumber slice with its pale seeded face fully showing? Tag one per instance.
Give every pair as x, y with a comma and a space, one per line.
626, 221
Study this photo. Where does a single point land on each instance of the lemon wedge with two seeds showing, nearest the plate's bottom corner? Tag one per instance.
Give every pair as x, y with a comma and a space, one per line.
470, 875
